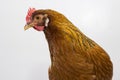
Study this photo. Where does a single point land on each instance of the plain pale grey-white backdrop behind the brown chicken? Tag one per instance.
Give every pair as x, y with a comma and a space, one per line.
24, 55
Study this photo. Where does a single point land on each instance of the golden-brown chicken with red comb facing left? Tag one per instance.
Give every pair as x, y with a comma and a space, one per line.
74, 56
